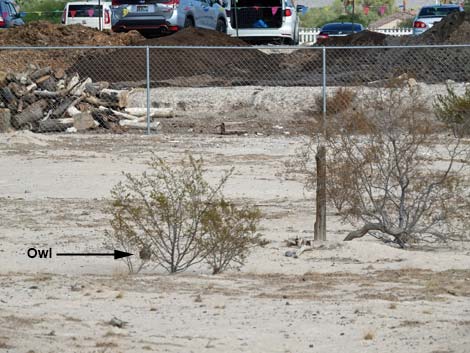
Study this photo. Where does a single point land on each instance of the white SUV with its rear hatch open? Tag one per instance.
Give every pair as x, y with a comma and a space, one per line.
263, 20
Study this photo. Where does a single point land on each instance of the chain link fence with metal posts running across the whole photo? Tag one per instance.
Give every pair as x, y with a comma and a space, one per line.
227, 90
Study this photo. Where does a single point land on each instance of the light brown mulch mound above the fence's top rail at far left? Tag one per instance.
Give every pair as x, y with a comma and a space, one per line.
43, 33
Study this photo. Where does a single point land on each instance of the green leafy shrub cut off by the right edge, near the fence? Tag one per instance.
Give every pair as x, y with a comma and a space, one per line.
454, 110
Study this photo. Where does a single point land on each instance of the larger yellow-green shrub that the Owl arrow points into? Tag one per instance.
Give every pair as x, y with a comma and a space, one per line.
169, 214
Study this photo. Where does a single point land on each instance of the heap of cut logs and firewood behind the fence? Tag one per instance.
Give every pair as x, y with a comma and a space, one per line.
47, 100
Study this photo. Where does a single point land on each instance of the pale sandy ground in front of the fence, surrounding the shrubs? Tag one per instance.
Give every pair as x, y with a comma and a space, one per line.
360, 296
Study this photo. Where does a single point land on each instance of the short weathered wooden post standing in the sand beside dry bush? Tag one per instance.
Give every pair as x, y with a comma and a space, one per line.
320, 220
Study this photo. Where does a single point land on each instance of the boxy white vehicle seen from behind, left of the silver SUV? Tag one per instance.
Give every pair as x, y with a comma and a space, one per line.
88, 13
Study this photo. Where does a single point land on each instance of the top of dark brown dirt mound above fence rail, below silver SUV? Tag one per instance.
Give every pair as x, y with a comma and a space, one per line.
196, 37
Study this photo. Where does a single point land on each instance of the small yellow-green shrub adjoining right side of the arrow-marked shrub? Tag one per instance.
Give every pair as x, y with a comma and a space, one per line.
230, 234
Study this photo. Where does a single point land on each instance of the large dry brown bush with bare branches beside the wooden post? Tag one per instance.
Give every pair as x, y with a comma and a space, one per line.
396, 182
